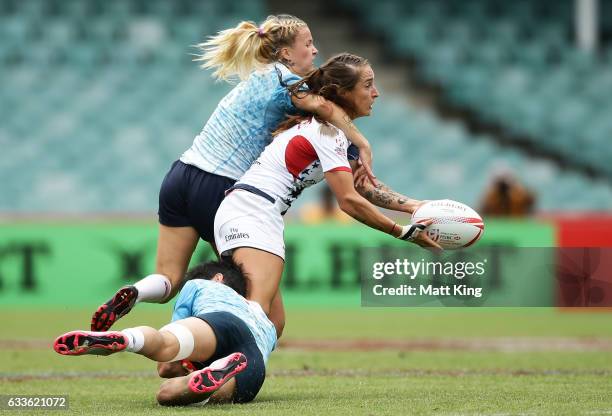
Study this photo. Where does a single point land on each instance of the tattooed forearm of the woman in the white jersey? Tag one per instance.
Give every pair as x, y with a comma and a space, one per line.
383, 196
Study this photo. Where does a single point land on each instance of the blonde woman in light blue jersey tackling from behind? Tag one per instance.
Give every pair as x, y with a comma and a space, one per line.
267, 58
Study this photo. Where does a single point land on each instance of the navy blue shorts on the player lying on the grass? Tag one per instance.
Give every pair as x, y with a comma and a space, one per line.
233, 335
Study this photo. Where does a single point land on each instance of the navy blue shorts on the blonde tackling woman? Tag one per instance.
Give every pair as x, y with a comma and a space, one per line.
190, 196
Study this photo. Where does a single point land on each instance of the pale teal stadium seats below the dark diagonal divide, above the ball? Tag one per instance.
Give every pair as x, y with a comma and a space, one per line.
429, 159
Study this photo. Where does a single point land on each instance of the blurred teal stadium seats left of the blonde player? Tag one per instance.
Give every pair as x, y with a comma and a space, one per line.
101, 98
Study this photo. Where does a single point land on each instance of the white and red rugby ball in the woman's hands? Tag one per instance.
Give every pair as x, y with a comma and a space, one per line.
455, 225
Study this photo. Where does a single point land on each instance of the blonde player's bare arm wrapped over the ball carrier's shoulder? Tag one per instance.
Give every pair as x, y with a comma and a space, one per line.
334, 114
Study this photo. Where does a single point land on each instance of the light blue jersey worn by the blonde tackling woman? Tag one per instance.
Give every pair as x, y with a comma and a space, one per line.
242, 124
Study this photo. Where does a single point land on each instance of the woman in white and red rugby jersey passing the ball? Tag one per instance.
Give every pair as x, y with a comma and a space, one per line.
249, 223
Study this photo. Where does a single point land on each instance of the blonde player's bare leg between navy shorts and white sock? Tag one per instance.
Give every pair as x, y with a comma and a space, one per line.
175, 246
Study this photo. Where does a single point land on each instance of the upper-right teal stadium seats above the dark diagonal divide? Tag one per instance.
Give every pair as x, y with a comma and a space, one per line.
512, 63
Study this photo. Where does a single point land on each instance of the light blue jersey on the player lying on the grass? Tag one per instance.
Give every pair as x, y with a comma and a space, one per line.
200, 296
